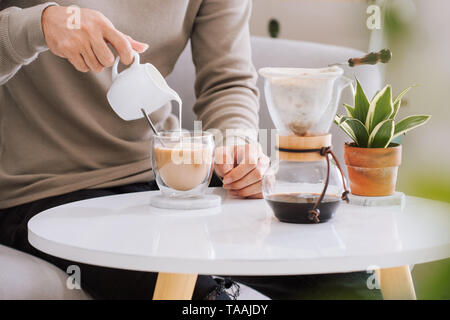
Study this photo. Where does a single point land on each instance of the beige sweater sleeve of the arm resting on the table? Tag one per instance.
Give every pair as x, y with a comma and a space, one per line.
225, 86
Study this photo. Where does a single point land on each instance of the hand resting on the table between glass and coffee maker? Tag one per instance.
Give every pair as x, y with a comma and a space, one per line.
242, 168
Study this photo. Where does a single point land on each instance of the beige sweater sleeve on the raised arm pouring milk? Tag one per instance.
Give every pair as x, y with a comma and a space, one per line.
21, 38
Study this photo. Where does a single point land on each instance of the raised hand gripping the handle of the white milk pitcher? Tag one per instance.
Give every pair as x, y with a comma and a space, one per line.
86, 47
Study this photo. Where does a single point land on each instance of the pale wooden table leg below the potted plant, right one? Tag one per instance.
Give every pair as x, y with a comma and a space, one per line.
396, 283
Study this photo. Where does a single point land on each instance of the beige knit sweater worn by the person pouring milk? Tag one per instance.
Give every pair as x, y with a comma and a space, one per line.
57, 131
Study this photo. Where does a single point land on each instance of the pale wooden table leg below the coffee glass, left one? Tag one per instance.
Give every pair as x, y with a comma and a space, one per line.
174, 286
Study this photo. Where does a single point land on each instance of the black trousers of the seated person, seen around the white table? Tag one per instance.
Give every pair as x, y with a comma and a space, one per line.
109, 283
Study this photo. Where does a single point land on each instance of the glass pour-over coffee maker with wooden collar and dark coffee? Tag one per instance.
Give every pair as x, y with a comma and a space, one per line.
305, 183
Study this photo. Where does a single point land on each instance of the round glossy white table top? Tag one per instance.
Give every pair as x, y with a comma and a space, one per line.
241, 237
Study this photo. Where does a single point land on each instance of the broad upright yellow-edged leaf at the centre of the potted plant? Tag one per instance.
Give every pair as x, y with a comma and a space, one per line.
380, 108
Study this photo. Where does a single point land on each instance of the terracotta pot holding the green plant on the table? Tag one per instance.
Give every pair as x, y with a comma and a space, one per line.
373, 171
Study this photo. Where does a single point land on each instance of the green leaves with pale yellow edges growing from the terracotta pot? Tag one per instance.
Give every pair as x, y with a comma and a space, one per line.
372, 124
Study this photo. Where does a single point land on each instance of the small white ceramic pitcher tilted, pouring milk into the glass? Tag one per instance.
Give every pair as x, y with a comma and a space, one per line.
141, 86
